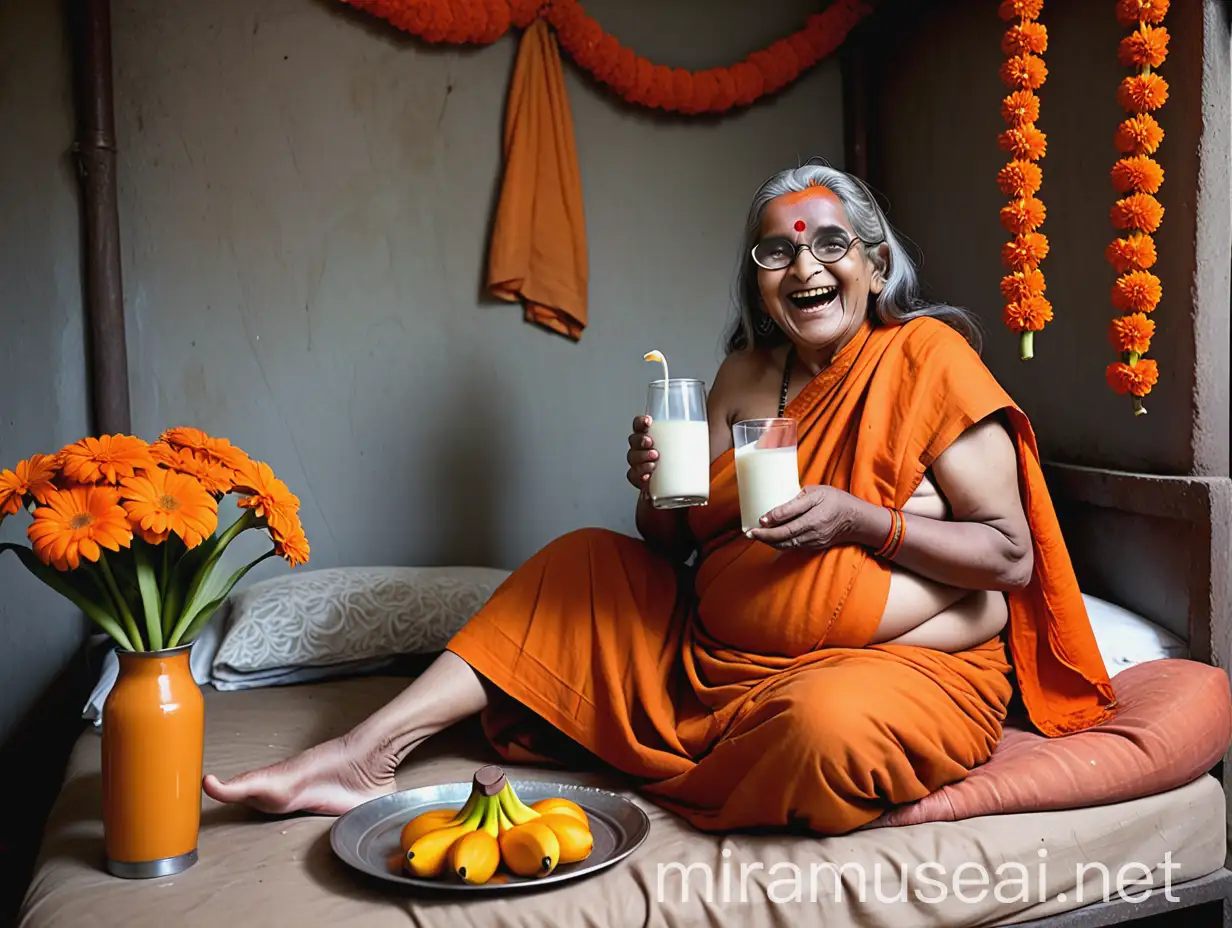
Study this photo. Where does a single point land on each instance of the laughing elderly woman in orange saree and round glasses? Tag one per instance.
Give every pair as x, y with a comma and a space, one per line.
845, 656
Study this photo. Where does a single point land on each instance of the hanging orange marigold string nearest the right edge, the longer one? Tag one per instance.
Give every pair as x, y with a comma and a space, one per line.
1137, 178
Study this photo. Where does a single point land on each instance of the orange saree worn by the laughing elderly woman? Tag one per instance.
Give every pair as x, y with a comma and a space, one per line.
744, 691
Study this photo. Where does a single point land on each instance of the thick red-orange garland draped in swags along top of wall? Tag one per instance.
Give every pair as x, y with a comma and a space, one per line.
635, 79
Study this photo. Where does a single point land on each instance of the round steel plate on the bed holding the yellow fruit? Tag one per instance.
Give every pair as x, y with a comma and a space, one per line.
368, 836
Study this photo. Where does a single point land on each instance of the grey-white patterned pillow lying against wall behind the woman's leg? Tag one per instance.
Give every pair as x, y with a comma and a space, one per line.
310, 624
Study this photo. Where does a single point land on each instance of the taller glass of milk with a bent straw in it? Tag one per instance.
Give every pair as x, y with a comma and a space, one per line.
682, 437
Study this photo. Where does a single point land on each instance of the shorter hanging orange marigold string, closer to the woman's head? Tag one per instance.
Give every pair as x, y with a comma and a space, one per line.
1024, 72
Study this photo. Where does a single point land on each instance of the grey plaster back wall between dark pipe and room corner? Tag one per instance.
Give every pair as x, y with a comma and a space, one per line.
306, 198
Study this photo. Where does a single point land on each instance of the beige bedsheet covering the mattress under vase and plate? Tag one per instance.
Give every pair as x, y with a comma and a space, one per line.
256, 871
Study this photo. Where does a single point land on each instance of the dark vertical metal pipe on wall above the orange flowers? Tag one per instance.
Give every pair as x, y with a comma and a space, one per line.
97, 162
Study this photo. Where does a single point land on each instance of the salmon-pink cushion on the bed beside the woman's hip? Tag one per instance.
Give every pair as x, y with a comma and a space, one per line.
1173, 724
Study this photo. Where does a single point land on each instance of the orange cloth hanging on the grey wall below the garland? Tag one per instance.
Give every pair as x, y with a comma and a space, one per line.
539, 243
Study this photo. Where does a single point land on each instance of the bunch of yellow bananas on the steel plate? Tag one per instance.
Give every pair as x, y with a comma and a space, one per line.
496, 828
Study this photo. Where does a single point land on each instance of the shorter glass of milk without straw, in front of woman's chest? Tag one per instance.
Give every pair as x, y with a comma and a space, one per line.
767, 469
